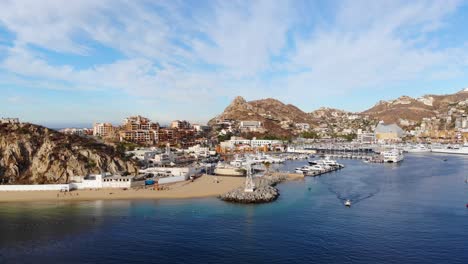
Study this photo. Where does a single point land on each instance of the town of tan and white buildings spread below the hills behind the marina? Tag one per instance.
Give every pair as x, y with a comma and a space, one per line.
327, 125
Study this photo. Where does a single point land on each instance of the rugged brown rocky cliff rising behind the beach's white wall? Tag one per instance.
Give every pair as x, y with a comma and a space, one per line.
35, 154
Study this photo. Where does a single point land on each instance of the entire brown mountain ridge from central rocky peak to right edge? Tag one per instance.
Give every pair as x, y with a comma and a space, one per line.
281, 119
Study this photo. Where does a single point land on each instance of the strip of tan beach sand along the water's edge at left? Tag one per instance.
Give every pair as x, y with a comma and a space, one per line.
204, 186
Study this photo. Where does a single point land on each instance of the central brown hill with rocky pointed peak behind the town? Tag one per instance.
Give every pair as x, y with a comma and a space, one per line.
277, 118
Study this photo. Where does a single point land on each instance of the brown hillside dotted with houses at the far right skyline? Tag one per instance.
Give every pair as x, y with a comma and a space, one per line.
406, 110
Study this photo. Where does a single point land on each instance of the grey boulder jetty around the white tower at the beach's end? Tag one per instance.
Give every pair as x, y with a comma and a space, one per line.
264, 191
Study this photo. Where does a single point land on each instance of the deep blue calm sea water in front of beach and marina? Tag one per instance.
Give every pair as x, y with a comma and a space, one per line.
413, 212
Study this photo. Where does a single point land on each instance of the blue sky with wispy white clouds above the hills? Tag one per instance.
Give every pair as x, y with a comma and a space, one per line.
72, 63
